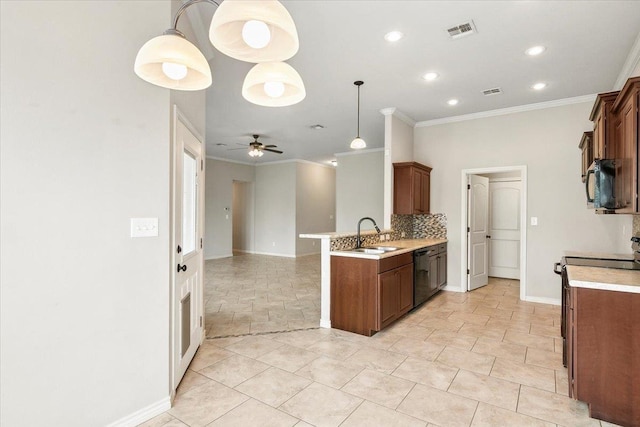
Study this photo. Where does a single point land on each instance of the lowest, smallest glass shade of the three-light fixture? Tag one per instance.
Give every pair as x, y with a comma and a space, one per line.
273, 84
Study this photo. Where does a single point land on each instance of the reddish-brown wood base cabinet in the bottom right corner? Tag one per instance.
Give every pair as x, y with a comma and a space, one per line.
603, 343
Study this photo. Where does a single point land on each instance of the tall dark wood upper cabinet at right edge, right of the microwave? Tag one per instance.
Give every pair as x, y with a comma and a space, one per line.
625, 109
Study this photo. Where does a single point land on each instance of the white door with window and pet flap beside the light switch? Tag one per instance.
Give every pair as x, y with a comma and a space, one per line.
188, 222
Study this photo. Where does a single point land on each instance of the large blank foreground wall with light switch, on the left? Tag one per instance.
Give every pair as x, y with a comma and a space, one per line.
85, 147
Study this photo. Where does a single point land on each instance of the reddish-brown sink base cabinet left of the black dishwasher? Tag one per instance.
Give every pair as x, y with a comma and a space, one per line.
367, 295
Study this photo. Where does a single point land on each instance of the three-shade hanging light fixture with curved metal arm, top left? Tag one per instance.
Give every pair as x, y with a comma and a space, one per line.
258, 31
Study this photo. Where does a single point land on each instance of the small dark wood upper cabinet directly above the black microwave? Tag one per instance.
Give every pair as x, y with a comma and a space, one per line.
603, 126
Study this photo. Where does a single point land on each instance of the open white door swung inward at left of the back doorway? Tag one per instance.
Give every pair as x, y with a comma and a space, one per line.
478, 232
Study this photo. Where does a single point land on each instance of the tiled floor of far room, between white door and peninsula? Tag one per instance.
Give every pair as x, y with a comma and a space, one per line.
254, 294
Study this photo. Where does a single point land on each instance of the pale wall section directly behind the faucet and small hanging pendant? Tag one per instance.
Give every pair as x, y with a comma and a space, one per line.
359, 189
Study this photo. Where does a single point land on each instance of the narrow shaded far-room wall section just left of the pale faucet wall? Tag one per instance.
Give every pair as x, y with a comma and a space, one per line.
315, 204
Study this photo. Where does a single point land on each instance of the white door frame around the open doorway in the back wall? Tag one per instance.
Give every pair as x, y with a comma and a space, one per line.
523, 222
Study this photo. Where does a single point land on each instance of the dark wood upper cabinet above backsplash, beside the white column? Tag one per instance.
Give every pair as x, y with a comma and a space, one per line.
411, 188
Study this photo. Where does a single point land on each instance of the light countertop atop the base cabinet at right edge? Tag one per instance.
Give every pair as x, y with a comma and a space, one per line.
609, 279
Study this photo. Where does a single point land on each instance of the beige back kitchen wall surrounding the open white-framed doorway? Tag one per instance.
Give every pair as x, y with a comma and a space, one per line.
546, 141
